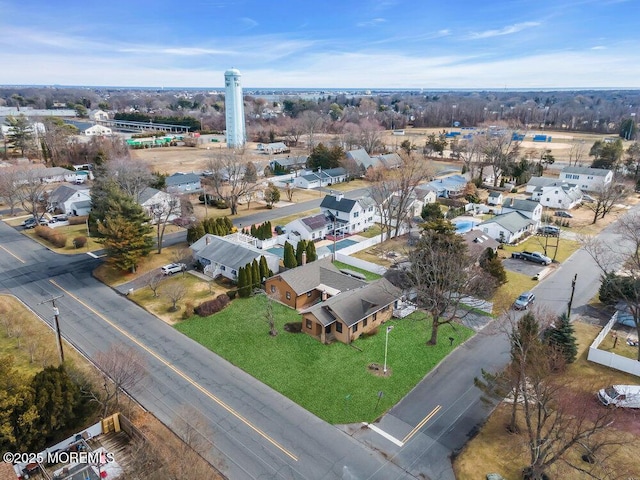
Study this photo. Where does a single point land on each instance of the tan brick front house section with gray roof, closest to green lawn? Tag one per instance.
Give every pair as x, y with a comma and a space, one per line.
346, 316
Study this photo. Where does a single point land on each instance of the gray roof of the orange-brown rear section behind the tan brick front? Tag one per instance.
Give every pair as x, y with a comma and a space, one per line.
321, 272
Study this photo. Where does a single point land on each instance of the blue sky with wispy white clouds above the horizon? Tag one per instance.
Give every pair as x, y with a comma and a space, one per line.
477, 44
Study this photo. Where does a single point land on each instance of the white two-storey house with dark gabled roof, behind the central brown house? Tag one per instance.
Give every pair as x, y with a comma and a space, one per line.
348, 216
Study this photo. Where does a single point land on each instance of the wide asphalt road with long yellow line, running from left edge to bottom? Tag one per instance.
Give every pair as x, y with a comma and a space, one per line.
257, 433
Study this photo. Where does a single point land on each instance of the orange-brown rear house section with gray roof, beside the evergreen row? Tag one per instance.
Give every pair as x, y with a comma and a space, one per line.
307, 284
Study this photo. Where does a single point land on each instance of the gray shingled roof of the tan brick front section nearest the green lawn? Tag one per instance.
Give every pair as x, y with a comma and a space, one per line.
355, 305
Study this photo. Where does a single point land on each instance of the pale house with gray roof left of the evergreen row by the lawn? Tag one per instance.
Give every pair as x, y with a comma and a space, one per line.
224, 256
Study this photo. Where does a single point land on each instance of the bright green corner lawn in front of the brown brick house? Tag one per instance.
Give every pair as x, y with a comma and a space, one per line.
331, 381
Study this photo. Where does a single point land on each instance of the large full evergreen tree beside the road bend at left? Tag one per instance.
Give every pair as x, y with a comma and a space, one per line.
126, 232
